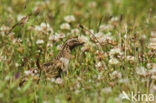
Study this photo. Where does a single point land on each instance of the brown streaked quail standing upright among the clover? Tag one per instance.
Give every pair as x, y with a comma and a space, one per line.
58, 65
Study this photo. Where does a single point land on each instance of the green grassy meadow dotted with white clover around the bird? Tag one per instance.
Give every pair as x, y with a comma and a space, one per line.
92, 77
